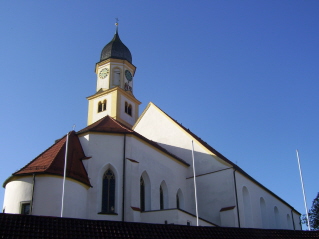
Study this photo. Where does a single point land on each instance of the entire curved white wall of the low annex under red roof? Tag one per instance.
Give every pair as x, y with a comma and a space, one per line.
47, 197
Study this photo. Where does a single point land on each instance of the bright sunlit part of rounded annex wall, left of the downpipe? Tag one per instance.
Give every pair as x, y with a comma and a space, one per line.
17, 191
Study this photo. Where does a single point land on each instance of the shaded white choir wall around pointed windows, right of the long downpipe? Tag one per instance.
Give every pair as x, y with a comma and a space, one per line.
159, 167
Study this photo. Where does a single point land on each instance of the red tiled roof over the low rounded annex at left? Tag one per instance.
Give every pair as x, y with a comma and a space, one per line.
51, 161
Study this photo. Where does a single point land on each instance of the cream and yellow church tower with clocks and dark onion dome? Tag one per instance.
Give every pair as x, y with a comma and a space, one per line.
114, 86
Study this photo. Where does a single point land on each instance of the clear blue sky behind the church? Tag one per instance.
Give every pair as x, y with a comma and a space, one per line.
242, 75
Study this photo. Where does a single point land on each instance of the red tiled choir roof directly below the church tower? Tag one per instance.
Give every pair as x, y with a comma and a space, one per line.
109, 125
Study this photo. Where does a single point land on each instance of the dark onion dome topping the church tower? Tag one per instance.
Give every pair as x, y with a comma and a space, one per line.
116, 49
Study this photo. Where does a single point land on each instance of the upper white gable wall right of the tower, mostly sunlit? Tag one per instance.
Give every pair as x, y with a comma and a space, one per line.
156, 126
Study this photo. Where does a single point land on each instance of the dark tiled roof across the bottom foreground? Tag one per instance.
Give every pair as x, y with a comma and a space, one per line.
25, 226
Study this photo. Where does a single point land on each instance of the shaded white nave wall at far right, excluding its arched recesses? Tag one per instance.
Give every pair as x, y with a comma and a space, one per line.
255, 193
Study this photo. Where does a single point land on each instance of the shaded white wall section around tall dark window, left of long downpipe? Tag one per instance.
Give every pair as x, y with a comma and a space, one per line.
106, 151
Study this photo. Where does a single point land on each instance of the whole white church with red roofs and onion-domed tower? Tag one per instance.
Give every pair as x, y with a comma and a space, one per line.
139, 168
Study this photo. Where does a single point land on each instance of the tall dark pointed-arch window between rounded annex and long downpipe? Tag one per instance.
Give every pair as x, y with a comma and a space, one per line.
108, 192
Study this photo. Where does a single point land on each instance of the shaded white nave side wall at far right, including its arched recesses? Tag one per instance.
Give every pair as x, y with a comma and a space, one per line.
260, 209
